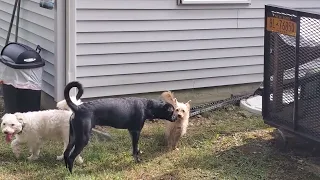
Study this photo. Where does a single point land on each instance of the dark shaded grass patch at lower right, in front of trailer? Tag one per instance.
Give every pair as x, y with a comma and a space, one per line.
257, 158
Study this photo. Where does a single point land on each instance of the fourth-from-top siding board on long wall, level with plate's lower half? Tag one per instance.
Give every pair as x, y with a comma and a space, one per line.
146, 36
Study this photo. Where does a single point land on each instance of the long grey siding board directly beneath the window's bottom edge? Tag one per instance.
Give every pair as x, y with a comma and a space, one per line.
156, 14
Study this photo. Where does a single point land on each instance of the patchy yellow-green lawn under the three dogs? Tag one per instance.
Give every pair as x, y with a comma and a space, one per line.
225, 145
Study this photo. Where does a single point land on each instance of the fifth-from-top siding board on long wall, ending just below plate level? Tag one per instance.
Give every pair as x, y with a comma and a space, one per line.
167, 46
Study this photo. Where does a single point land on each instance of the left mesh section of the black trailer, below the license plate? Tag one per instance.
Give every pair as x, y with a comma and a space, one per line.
282, 63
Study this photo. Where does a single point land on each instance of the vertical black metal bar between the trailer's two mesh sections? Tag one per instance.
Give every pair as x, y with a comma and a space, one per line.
296, 76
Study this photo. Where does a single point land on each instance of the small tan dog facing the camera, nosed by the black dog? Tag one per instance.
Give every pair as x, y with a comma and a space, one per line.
175, 130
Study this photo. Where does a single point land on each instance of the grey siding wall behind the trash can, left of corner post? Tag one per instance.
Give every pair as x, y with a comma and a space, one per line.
36, 27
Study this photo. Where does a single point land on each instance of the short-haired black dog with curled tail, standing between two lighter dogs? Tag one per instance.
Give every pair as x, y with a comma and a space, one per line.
122, 113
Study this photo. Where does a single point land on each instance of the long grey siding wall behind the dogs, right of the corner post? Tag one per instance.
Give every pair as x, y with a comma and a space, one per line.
126, 47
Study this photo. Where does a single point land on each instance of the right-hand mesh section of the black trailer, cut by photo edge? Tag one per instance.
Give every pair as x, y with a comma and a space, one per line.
309, 76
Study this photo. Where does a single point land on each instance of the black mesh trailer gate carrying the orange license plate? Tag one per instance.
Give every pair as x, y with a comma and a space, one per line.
292, 71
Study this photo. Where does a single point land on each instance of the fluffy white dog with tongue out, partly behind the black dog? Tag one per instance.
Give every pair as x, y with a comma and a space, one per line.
32, 128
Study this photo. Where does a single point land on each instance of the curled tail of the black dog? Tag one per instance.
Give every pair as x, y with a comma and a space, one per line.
67, 89
